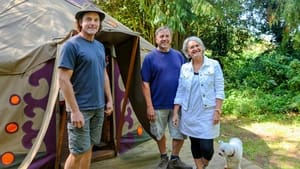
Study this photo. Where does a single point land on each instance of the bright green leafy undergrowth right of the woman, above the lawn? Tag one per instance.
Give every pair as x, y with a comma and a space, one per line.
264, 84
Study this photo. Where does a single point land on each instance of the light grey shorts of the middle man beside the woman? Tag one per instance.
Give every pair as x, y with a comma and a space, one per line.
158, 127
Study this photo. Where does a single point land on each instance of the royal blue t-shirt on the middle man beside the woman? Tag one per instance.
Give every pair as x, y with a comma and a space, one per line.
161, 70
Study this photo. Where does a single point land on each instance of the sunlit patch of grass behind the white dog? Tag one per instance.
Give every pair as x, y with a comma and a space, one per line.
273, 142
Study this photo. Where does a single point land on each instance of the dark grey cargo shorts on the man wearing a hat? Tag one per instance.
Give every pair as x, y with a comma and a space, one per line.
81, 139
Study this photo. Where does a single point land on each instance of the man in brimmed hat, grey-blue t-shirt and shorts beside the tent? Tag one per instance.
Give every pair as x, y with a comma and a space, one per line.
85, 86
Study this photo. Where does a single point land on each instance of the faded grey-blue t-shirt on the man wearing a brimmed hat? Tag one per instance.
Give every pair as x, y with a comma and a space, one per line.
87, 60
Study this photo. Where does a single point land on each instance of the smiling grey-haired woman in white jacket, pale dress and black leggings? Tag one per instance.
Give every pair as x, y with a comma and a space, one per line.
199, 99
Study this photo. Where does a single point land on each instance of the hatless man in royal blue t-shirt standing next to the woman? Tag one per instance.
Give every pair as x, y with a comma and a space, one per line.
160, 73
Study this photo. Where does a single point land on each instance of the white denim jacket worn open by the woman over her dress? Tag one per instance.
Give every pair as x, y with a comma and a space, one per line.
211, 80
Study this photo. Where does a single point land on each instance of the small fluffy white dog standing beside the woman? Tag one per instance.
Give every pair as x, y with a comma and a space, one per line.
232, 152
